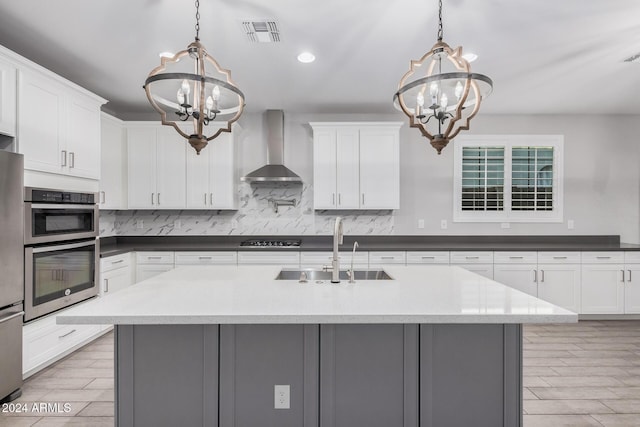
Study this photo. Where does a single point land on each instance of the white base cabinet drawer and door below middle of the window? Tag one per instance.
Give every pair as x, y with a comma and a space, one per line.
517, 270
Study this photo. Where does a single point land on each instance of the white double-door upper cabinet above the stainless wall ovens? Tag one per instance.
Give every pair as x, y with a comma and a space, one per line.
58, 126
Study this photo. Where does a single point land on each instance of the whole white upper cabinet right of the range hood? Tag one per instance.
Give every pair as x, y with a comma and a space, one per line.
356, 165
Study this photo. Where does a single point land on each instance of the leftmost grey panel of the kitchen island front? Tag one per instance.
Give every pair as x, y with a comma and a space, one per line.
166, 375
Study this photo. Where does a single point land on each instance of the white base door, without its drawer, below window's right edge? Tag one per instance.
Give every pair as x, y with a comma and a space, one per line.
559, 284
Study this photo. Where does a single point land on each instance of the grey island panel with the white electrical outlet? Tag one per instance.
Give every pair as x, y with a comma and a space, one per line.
255, 358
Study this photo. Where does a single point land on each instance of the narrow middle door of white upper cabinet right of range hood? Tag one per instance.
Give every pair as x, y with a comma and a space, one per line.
347, 168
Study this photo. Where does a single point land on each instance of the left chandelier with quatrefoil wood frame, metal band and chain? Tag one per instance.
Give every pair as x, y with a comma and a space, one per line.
196, 93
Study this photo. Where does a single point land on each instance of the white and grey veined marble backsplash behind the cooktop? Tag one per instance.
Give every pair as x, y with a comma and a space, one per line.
256, 215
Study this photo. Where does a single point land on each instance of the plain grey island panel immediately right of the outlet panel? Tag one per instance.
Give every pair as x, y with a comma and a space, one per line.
368, 375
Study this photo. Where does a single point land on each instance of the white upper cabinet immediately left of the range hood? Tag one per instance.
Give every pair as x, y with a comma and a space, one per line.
212, 176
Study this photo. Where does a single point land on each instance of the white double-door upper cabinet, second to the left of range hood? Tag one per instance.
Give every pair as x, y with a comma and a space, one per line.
156, 165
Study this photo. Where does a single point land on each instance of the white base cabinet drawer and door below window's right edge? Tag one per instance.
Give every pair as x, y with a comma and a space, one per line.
559, 279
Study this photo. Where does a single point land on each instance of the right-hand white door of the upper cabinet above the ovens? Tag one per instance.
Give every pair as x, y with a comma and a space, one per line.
83, 140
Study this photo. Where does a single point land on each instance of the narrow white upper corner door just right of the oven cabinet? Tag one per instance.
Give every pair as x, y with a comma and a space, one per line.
113, 160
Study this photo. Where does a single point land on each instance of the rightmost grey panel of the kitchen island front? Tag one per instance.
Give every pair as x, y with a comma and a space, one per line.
470, 375
